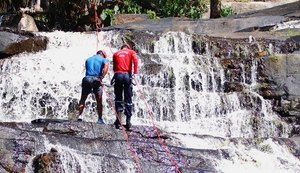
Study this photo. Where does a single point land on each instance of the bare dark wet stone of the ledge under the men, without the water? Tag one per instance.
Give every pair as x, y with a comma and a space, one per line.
94, 139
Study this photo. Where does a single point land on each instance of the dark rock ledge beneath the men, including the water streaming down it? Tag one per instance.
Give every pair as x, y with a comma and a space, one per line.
61, 146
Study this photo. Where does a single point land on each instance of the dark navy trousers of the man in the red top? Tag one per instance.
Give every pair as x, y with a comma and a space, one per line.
122, 86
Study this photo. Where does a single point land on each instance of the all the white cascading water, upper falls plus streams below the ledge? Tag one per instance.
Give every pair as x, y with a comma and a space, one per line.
185, 91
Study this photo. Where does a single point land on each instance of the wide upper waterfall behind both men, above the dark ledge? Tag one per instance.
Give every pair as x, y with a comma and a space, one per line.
186, 93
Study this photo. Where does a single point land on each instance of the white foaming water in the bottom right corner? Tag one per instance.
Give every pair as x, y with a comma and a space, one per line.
268, 157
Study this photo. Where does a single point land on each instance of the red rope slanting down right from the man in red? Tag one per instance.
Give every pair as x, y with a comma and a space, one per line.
155, 128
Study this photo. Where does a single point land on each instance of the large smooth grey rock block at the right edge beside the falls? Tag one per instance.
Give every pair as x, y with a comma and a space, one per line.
282, 72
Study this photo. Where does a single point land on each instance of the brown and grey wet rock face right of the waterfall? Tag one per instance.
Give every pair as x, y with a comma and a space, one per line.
277, 72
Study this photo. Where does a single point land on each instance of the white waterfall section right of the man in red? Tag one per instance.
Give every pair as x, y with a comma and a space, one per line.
194, 101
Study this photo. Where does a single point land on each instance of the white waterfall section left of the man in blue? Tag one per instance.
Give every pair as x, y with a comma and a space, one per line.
47, 83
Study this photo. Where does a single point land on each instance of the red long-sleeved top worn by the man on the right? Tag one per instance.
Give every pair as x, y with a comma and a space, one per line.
123, 60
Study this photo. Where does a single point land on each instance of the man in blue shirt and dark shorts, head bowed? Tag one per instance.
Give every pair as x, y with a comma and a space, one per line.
96, 68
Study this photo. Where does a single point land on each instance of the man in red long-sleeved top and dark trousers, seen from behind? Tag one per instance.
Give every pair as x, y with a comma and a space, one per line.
123, 60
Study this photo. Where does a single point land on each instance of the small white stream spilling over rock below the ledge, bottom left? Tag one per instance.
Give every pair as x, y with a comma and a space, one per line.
81, 161
